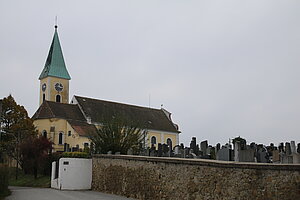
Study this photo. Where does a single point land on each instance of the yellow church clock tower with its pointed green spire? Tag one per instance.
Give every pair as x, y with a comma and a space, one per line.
54, 79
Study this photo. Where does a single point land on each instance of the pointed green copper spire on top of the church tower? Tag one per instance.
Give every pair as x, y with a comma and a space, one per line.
55, 64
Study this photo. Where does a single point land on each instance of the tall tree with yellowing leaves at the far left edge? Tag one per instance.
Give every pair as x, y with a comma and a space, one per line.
15, 126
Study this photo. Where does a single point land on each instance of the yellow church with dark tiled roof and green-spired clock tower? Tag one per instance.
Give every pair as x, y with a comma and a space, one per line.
68, 124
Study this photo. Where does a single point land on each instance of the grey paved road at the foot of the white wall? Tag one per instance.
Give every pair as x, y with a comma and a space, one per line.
26, 193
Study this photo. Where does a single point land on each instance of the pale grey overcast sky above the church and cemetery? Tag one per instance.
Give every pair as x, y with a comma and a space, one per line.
223, 68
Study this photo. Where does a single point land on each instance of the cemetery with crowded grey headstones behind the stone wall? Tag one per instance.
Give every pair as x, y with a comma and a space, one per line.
239, 151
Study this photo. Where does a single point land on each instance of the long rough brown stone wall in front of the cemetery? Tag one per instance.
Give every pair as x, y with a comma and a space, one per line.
172, 178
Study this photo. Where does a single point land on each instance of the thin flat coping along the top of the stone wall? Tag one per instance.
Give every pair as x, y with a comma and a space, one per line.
205, 162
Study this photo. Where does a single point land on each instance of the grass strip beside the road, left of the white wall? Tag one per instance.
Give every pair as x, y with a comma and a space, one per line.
27, 180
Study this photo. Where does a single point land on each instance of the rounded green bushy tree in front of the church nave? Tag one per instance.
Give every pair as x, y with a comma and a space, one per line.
117, 135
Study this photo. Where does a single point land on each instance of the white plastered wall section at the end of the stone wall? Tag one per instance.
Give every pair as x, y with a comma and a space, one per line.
74, 174
